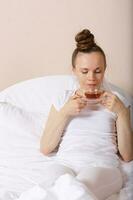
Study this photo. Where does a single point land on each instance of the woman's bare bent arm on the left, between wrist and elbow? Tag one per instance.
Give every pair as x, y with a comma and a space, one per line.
53, 132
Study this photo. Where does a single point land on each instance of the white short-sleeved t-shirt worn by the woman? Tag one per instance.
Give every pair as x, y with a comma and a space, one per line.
89, 138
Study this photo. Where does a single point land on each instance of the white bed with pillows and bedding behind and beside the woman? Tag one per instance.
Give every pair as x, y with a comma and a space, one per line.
24, 109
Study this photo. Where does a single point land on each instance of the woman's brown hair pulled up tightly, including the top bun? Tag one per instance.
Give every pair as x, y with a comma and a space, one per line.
85, 43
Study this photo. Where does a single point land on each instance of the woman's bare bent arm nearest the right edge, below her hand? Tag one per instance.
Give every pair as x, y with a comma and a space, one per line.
125, 135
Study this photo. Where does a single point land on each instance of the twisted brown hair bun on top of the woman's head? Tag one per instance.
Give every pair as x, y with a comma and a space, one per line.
85, 40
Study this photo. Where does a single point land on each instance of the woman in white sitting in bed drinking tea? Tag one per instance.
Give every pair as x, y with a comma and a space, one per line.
91, 138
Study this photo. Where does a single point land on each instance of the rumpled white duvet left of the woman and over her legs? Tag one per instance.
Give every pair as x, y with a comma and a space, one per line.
22, 165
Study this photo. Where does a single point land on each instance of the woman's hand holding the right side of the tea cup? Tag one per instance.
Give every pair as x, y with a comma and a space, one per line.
112, 102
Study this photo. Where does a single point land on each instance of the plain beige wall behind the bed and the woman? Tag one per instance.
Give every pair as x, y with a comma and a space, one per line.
37, 37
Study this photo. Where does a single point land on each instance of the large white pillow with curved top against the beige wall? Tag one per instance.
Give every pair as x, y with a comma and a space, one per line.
36, 95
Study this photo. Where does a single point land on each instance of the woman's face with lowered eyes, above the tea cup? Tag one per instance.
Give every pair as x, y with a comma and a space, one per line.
89, 69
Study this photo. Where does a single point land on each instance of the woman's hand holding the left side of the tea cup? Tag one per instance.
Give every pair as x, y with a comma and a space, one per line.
75, 104
